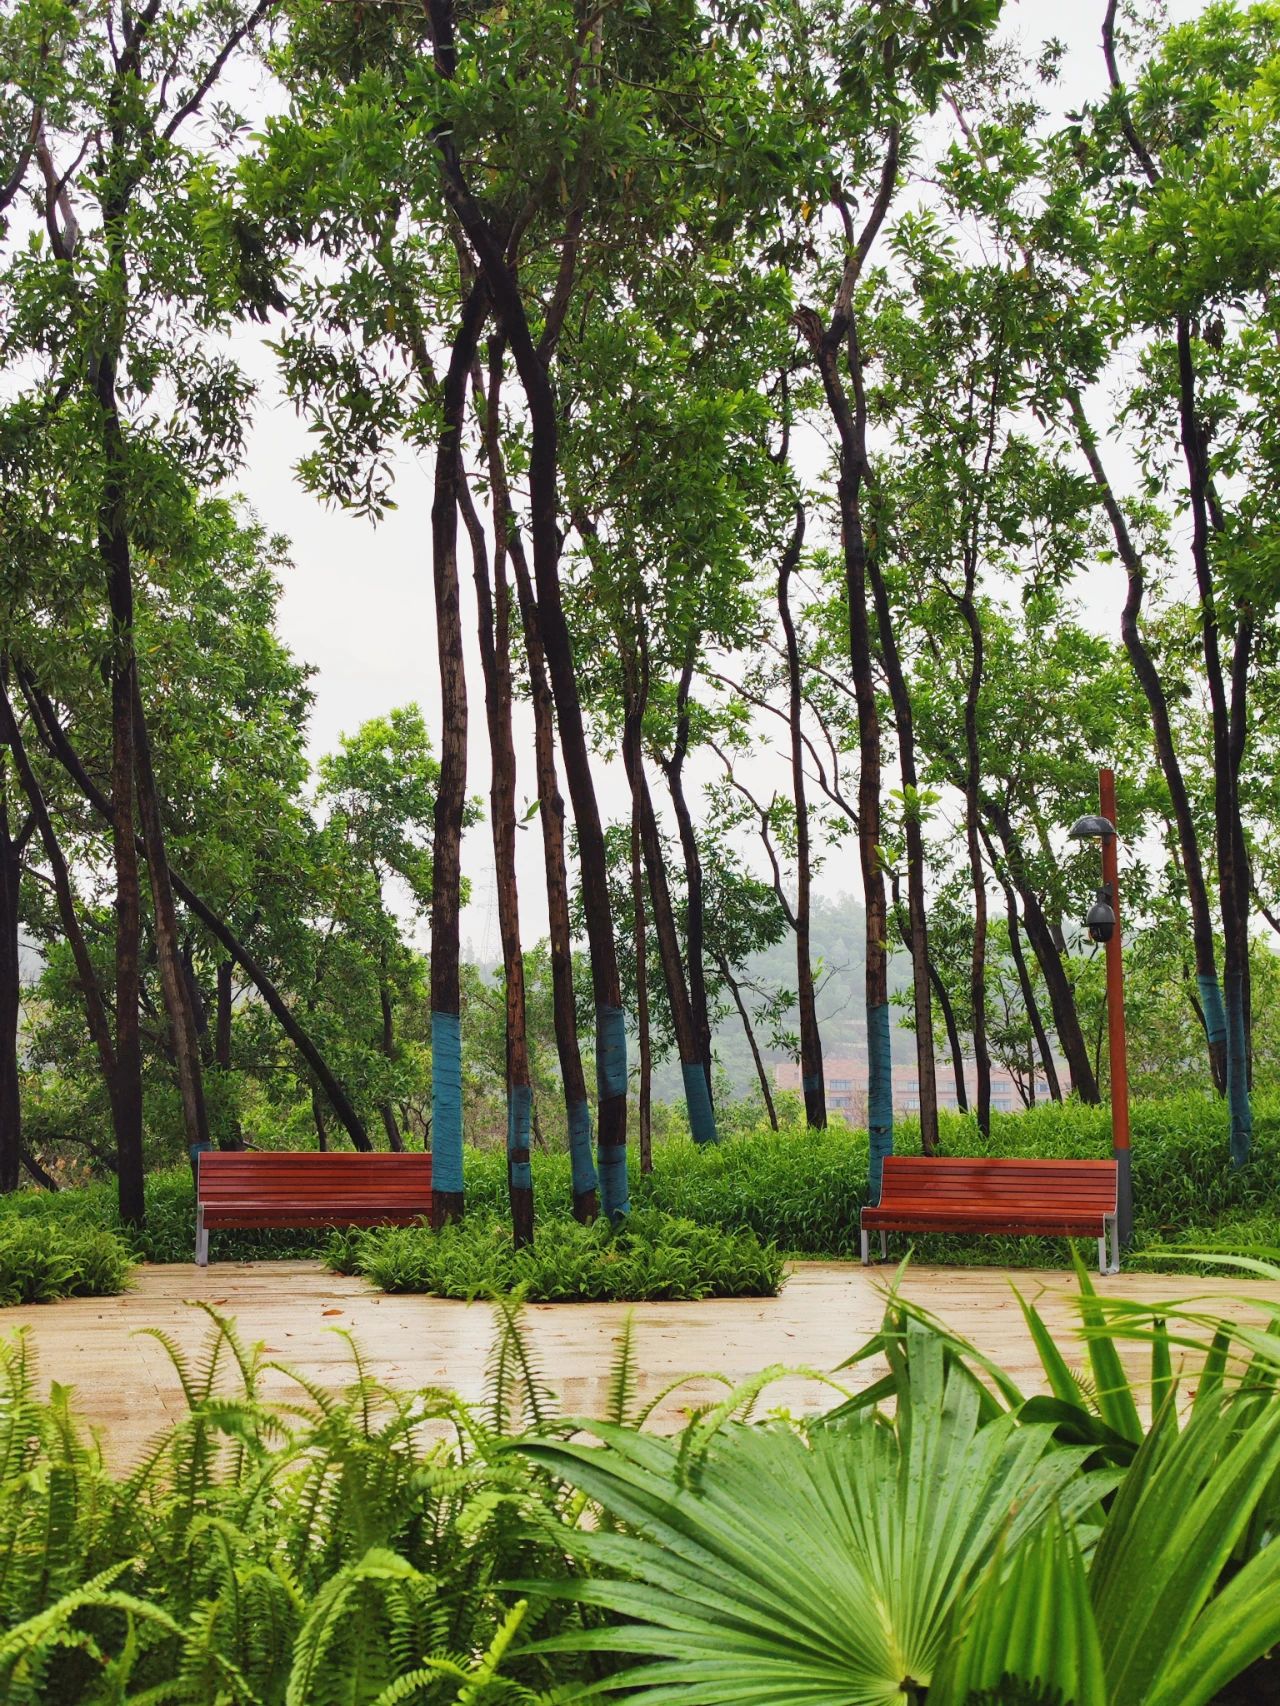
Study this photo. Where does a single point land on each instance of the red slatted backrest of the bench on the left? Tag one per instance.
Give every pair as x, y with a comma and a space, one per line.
315, 1180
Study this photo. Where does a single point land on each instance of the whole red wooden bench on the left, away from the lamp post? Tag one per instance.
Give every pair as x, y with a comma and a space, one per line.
308, 1188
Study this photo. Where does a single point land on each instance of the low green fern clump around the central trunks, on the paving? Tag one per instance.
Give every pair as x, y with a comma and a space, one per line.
653, 1256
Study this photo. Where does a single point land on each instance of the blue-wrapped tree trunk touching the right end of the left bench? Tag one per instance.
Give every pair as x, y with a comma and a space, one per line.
451, 787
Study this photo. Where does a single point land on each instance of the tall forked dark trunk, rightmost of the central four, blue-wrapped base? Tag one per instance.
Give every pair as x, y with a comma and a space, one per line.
532, 363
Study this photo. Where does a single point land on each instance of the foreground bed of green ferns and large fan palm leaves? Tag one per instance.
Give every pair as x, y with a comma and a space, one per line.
900, 1550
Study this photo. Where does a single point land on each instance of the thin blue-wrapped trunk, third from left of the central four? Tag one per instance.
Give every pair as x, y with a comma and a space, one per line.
550, 811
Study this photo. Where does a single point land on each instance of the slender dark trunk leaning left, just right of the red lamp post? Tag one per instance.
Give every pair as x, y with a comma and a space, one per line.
1149, 680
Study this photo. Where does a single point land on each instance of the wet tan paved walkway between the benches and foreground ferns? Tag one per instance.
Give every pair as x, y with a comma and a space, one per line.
125, 1384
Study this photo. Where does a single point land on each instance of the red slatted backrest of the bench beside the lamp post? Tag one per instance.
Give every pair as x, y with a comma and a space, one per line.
965, 1181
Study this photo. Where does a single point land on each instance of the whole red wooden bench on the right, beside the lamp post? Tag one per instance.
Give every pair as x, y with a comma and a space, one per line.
1056, 1200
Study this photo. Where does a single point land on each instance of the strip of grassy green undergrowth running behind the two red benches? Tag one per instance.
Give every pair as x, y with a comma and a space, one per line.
801, 1190
